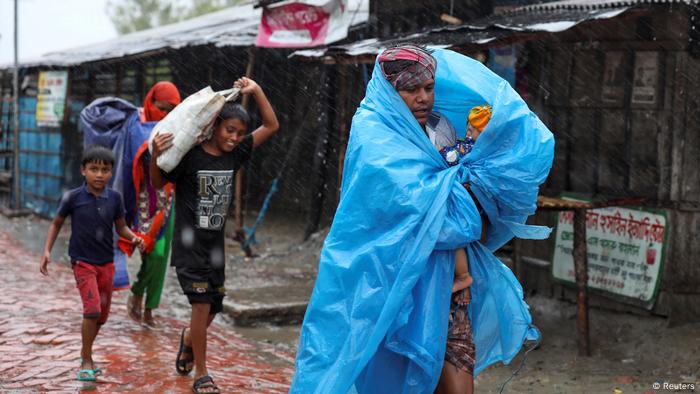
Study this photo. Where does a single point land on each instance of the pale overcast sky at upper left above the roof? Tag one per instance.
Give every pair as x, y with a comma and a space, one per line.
49, 25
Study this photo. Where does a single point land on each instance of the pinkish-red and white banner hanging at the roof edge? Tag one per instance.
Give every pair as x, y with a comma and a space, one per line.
303, 24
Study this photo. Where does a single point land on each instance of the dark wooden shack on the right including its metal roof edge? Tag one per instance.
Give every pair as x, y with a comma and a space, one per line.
615, 81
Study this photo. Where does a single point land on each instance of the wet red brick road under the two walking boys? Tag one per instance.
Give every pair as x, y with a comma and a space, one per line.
40, 341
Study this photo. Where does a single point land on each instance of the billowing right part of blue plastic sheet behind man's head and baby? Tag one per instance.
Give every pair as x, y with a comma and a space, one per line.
514, 153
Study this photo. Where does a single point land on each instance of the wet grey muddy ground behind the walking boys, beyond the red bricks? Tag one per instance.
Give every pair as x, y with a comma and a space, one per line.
280, 277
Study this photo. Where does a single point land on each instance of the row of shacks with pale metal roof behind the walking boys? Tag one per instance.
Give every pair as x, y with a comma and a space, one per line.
213, 49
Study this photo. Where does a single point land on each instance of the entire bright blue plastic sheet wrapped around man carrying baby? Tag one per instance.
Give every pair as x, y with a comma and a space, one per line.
378, 315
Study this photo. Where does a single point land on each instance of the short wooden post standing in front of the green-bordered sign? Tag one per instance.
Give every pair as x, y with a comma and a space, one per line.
581, 268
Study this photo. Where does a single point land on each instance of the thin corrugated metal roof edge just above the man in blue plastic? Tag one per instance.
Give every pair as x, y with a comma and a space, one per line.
478, 32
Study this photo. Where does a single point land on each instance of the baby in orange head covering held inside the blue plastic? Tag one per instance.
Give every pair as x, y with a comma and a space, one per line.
477, 120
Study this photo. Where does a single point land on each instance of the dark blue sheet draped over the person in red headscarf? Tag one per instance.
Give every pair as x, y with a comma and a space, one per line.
115, 124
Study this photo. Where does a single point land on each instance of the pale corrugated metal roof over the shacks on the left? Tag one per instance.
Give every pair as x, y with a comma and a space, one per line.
235, 26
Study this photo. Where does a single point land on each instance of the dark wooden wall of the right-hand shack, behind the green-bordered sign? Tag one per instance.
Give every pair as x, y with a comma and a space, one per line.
619, 95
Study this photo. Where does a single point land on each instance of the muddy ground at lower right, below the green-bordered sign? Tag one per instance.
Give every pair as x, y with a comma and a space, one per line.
629, 353
